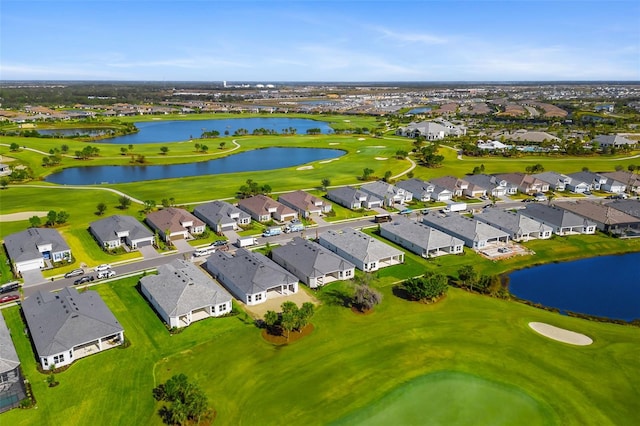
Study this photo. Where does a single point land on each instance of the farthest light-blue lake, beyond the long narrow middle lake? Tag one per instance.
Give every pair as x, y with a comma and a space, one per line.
159, 131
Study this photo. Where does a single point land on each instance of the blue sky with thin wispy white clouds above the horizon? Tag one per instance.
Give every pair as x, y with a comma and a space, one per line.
331, 40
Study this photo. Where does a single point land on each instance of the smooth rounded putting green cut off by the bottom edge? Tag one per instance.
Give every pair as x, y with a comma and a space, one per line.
451, 398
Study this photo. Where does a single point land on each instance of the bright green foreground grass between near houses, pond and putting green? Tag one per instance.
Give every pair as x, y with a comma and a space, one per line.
349, 362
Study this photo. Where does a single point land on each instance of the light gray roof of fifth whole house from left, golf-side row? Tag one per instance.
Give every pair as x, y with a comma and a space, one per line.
359, 245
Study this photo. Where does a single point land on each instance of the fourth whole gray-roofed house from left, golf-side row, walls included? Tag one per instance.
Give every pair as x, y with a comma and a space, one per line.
313, 264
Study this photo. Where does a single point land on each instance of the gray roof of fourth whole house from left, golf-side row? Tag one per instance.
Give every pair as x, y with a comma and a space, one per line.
311, 258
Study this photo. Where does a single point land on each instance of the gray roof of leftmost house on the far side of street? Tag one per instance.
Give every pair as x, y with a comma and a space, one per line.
23, 245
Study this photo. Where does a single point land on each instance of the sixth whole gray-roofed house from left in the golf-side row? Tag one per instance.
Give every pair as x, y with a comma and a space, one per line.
419, 238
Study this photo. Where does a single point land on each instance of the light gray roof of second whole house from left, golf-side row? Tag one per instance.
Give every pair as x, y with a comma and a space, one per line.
181, 287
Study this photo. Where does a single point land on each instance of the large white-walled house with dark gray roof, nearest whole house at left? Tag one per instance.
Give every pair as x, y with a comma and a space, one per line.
67, 325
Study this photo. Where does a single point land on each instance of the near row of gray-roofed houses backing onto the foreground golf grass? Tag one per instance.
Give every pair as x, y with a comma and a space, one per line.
68, 325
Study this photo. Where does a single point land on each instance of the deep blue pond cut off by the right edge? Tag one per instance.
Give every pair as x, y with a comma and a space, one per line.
607, 286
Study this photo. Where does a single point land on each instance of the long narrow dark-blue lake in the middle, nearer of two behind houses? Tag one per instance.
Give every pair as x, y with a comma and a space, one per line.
256, 160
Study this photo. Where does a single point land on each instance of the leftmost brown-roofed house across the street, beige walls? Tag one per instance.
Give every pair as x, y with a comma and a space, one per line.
175, 224
